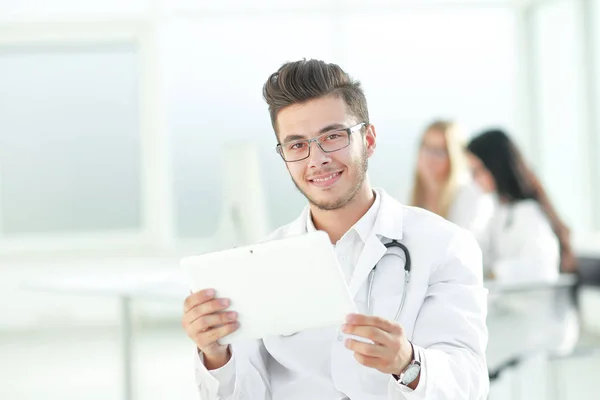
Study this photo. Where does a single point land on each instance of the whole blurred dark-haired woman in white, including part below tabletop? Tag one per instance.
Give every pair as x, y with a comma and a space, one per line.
526, 242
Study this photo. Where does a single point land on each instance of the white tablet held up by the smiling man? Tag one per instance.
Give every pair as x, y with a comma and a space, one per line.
278, 287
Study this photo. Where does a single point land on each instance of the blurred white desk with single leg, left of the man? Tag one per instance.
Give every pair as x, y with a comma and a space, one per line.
160, 285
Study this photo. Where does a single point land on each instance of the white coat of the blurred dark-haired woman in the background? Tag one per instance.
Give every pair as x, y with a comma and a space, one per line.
520, 247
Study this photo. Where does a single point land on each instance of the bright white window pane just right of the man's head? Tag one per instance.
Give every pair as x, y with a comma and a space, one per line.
418, 65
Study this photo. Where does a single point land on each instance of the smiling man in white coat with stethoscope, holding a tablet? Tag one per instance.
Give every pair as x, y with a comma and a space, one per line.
434, 349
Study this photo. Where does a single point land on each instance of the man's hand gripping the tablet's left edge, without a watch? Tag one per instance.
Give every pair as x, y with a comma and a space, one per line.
205, 322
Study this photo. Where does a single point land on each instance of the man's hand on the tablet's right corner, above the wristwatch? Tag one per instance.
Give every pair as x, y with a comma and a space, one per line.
391, 352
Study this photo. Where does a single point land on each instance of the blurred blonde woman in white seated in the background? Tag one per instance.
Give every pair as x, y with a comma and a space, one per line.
442, 184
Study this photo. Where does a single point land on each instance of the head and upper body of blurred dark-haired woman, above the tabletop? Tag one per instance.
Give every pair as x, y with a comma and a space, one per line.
525, 240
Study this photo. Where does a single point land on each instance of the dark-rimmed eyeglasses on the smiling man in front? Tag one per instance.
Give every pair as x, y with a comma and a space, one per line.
329, 142
